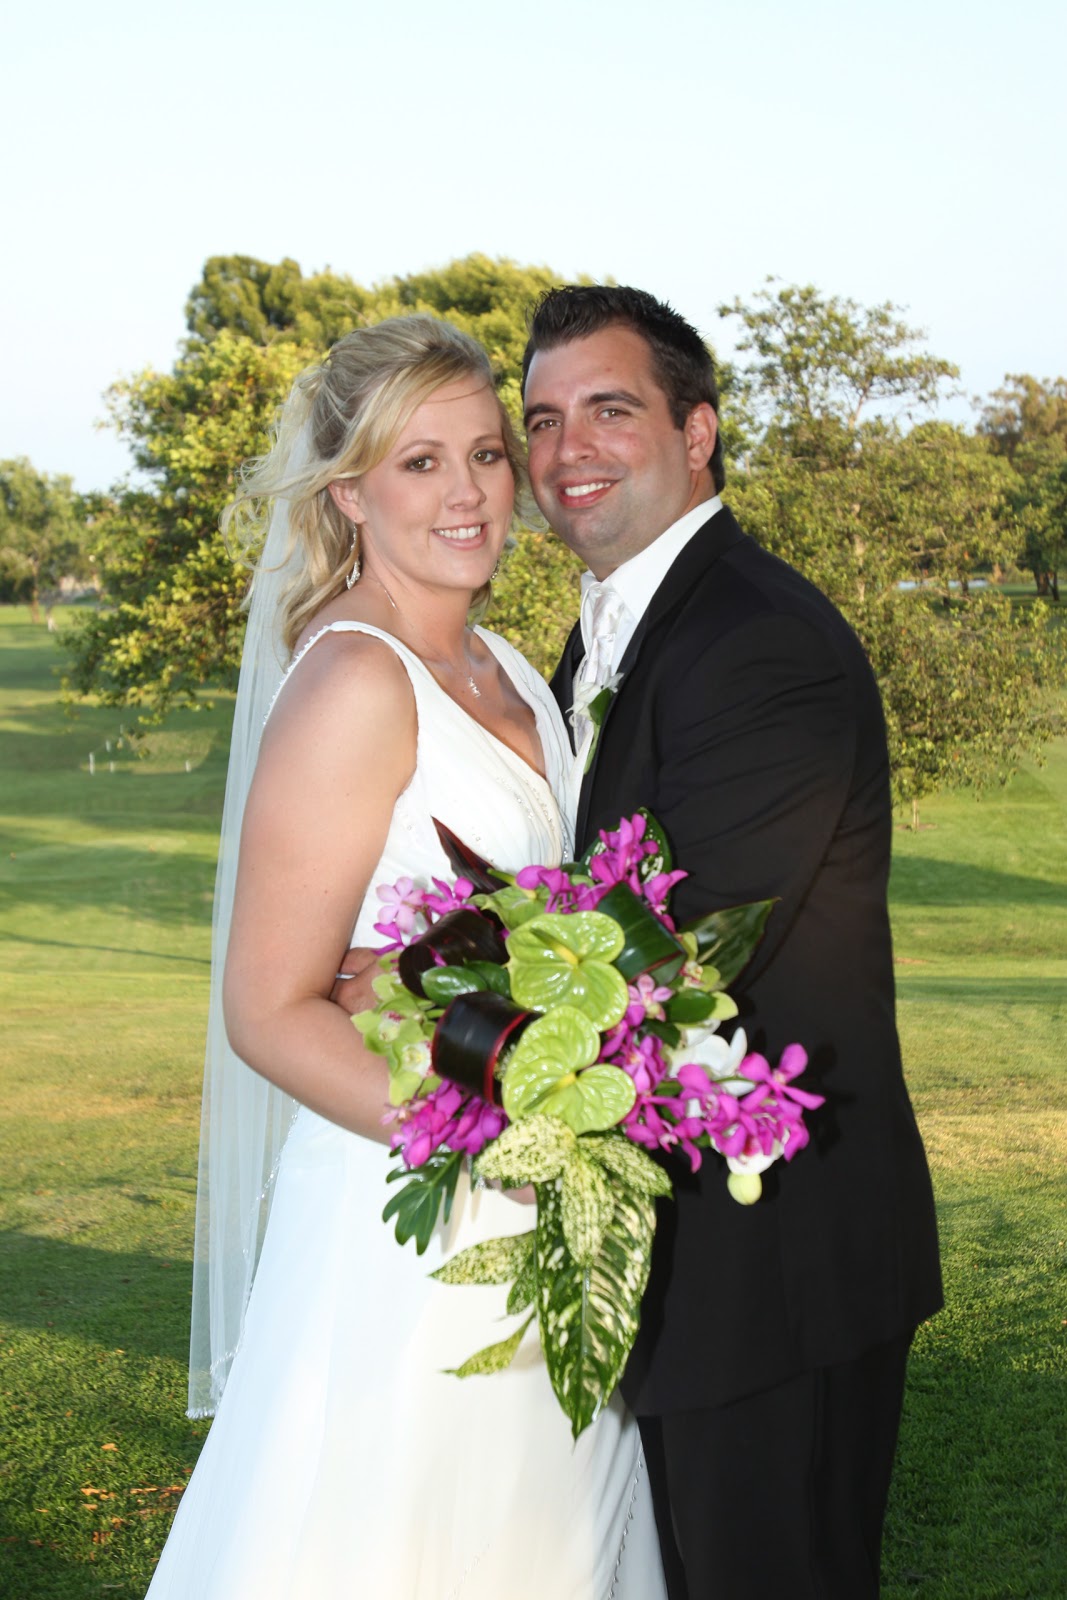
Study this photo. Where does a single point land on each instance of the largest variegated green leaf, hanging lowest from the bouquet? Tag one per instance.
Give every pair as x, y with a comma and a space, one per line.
589, 1316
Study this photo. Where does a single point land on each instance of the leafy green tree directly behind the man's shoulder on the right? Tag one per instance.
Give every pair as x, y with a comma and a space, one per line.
863, 505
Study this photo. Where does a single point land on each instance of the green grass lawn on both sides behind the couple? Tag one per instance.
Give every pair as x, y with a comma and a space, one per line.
105, 937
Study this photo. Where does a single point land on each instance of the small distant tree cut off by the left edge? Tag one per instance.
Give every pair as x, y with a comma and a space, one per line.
42, 534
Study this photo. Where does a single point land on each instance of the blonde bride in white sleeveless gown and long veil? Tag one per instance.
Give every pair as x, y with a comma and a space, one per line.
345, 1462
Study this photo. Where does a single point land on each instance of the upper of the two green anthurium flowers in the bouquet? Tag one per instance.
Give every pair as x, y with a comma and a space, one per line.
567, 961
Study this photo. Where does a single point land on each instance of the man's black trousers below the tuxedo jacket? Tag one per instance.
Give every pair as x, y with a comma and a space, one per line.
785, 1492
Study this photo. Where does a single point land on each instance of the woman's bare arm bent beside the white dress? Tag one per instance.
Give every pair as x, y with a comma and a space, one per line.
337, 753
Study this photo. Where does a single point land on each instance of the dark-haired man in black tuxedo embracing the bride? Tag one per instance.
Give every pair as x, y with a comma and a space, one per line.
770, 1367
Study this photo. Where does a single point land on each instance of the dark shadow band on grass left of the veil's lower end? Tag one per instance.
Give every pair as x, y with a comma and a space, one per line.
108, 1297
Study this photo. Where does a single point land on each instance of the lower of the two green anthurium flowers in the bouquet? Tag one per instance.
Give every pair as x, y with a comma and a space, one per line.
553, 1074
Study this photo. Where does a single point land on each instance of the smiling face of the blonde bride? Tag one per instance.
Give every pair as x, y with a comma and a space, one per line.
438, 510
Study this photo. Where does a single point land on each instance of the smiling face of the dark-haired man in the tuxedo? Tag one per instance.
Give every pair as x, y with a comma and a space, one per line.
610, 470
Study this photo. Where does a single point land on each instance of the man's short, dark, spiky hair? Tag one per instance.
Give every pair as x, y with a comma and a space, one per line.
681, 361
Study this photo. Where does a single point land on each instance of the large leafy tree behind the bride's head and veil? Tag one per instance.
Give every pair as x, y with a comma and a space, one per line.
177, 618
